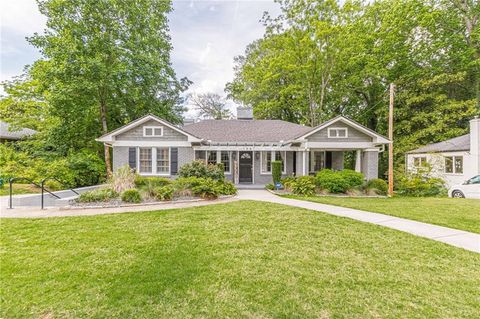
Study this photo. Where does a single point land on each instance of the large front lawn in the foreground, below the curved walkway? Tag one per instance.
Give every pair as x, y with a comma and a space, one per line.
241, 259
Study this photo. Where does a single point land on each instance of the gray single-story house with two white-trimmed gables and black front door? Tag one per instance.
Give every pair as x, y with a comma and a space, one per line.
246, 147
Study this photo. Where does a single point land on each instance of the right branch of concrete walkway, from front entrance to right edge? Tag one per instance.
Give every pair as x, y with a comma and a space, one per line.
454, 237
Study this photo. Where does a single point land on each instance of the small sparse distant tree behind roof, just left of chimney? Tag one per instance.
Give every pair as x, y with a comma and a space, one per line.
210, 105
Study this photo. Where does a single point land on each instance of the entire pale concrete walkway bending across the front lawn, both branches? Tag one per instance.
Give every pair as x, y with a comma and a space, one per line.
454, 237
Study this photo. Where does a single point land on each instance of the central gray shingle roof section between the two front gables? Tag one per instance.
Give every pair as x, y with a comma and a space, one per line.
246, 130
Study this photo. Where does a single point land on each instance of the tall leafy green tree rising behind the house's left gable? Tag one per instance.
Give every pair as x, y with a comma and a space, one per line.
105, 63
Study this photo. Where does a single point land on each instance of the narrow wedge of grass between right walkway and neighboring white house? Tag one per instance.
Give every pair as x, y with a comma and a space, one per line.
456, 213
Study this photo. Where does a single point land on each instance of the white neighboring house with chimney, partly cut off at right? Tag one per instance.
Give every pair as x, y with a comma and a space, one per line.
454, 160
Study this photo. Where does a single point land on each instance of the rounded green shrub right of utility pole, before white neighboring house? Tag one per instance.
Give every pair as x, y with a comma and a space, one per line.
419, 185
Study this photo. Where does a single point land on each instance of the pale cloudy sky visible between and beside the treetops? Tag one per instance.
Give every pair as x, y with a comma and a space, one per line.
206, 36
